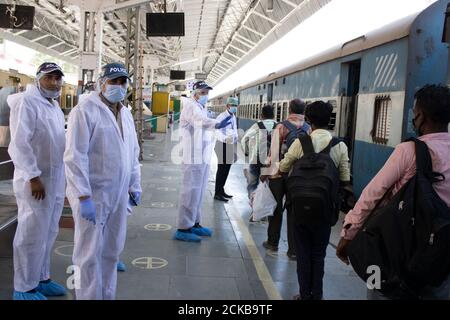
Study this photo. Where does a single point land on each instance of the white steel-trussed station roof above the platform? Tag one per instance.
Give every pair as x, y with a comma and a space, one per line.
226, 33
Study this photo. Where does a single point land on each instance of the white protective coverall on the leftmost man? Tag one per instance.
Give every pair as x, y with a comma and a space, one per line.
37, 150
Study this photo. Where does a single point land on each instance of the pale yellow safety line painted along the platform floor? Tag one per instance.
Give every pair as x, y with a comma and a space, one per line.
264, 276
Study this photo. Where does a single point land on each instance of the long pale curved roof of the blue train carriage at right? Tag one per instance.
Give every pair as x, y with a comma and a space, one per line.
388, 33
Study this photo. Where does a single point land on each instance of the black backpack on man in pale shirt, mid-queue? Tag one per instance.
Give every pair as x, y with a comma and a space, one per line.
313, 186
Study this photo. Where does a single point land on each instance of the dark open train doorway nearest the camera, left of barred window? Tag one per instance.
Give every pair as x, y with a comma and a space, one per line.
349, 104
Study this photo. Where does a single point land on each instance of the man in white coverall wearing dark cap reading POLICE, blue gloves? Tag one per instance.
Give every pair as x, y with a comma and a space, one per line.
103, 176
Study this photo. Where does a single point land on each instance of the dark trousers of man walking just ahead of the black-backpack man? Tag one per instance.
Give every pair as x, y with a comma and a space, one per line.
279, 190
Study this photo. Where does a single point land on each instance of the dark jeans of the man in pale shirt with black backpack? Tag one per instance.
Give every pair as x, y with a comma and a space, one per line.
311, 245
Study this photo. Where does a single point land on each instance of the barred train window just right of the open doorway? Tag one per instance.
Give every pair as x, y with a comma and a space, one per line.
381, 127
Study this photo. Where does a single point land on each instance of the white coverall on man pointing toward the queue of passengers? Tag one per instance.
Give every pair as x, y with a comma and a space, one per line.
196, 132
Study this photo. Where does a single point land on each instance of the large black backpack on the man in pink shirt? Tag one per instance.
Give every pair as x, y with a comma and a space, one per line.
408, 238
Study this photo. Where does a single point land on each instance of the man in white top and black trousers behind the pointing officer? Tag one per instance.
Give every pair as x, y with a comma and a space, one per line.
226, 148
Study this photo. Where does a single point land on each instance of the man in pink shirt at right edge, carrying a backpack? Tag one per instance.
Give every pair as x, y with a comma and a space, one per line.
431, 119
